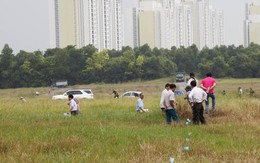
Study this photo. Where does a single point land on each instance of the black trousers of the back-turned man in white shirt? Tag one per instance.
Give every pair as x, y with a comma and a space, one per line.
197, 111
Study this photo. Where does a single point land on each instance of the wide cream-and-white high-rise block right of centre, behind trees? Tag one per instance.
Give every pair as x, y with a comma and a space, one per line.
167, 23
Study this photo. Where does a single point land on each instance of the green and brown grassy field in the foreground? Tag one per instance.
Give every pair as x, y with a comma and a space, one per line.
109, 130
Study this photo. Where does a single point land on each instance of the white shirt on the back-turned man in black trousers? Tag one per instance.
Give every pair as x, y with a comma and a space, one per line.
197, 95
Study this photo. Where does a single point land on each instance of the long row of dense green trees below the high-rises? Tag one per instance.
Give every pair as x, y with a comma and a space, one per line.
88, 65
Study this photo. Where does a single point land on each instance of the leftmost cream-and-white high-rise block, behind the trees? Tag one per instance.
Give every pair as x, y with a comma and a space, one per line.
83, 22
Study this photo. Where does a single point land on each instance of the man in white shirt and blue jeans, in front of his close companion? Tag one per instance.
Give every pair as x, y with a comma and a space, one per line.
171, 105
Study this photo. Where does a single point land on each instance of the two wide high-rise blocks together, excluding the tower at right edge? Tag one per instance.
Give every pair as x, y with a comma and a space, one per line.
159, 23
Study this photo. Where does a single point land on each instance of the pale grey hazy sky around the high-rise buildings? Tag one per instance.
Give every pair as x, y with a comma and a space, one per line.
24, 24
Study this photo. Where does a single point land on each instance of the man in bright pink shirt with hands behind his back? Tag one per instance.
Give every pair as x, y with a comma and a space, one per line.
208, 84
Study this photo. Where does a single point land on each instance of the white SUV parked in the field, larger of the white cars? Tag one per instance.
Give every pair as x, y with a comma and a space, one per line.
77, 93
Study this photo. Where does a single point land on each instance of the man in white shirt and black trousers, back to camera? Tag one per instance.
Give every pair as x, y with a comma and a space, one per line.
196, 97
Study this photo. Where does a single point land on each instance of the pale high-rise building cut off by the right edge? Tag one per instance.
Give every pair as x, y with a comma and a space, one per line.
252, 24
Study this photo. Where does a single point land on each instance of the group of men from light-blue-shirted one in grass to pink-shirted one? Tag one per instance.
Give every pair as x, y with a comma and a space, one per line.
196, 95
